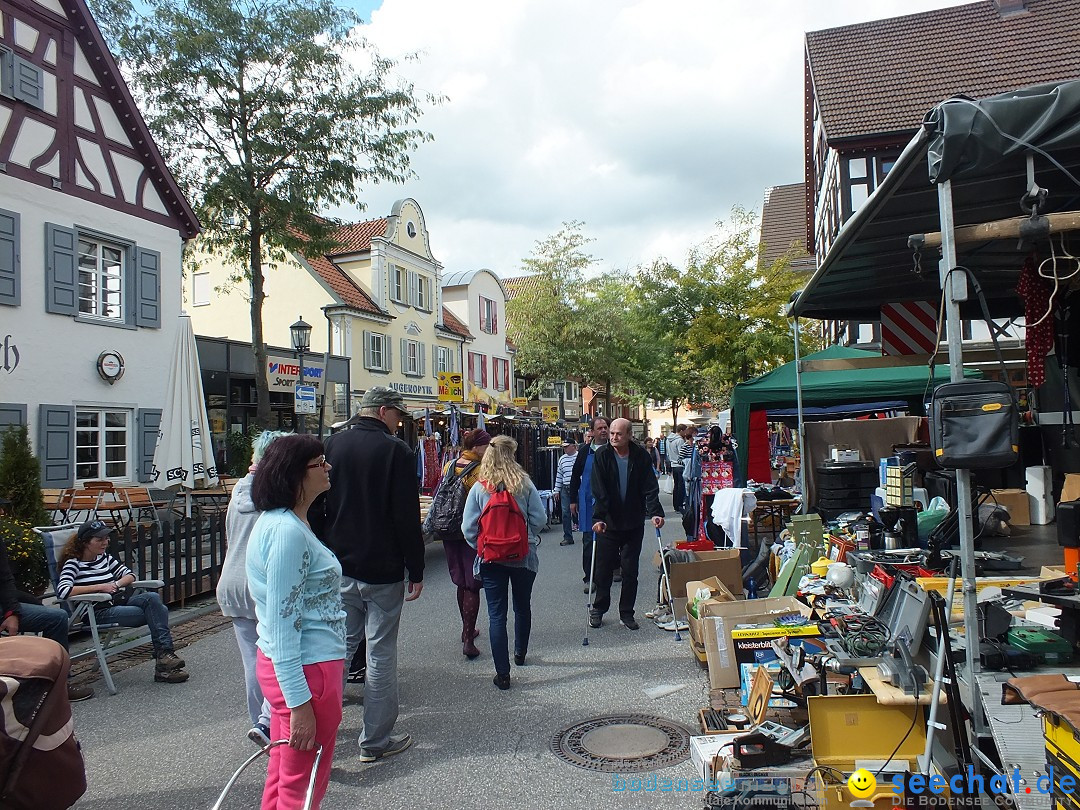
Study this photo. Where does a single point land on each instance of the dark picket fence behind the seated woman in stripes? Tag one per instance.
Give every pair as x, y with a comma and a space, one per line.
187, 555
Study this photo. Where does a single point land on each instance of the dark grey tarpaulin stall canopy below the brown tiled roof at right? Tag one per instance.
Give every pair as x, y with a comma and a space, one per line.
982, 147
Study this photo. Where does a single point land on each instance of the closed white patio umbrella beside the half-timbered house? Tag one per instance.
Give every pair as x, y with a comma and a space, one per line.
184, 456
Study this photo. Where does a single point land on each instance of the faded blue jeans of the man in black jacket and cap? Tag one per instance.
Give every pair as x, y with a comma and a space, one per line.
374, 613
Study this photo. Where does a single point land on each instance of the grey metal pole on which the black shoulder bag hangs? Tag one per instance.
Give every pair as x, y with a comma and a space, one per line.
955, 288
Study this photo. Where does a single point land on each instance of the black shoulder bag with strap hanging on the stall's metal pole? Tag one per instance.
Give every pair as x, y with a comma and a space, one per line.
975, 425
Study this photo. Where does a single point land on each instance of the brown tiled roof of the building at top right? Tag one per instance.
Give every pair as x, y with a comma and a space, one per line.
883, 77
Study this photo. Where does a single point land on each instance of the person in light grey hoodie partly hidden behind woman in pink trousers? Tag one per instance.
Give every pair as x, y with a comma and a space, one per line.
233, 593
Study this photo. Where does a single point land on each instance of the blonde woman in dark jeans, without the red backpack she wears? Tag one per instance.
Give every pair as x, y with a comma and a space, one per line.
499, 468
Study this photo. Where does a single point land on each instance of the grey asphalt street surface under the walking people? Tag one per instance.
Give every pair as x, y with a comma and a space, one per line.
157, 746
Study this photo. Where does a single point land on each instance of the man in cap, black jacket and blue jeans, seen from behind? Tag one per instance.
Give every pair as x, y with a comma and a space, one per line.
373, 525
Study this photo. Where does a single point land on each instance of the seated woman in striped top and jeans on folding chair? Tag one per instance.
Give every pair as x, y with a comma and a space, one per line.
87, 568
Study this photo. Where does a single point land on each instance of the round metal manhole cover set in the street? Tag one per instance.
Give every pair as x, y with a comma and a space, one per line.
623, 744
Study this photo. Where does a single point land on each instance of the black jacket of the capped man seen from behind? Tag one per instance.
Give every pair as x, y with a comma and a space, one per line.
371, 518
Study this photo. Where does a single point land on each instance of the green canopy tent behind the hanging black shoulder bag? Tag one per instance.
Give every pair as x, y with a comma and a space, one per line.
841, 387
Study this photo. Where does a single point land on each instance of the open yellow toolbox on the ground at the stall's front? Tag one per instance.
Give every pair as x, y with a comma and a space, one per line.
846, 728
